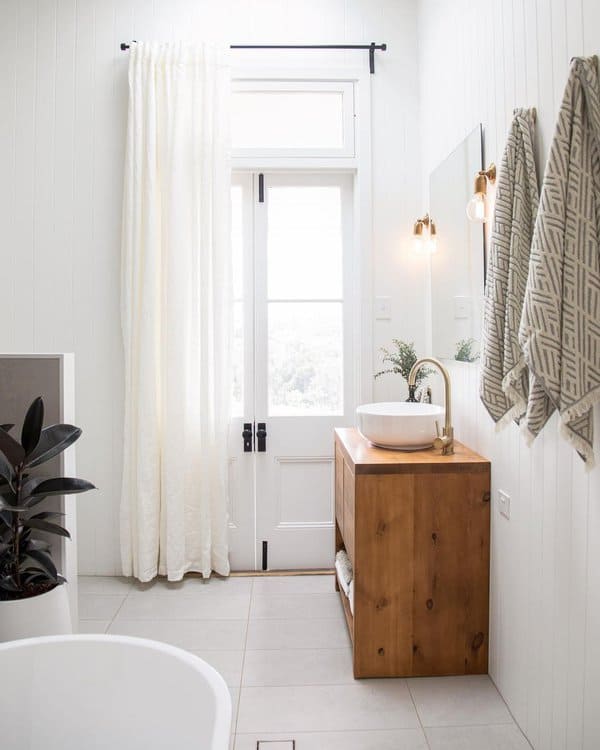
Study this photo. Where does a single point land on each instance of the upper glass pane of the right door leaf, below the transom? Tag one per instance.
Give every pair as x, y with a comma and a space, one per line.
304, 242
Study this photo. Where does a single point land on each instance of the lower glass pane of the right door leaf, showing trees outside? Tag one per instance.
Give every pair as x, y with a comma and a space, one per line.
305, 358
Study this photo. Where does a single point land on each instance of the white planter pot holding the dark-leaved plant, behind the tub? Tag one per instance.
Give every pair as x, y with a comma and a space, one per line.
46, 614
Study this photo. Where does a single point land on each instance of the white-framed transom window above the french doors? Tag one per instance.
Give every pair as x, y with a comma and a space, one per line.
293, 118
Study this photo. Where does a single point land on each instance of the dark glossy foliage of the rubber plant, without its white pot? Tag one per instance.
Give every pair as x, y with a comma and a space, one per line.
26, 566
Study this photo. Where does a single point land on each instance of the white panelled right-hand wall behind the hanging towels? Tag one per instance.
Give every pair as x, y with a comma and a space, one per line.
477, 62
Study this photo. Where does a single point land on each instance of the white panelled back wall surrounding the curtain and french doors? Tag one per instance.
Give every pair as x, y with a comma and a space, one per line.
62, 122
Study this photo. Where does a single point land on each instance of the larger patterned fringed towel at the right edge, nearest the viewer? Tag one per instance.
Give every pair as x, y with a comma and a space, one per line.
560, 326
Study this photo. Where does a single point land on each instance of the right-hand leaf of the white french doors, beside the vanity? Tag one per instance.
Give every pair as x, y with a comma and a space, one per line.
304, 355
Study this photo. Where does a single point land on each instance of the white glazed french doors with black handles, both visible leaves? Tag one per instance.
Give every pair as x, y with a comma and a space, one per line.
294, 364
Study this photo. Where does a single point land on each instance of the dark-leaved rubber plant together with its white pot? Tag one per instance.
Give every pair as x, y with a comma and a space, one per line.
33, 600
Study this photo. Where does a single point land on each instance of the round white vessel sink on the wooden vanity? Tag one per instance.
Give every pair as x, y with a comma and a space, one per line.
402, 425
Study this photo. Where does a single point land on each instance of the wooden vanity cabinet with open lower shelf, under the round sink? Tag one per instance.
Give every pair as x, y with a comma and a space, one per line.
416, 529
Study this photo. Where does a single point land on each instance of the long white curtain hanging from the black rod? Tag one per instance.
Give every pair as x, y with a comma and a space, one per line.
176, 292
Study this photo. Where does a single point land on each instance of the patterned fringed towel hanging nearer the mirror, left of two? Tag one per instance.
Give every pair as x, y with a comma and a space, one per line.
503, 384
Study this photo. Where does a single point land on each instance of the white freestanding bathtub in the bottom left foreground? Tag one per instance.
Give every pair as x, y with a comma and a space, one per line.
92, 692
